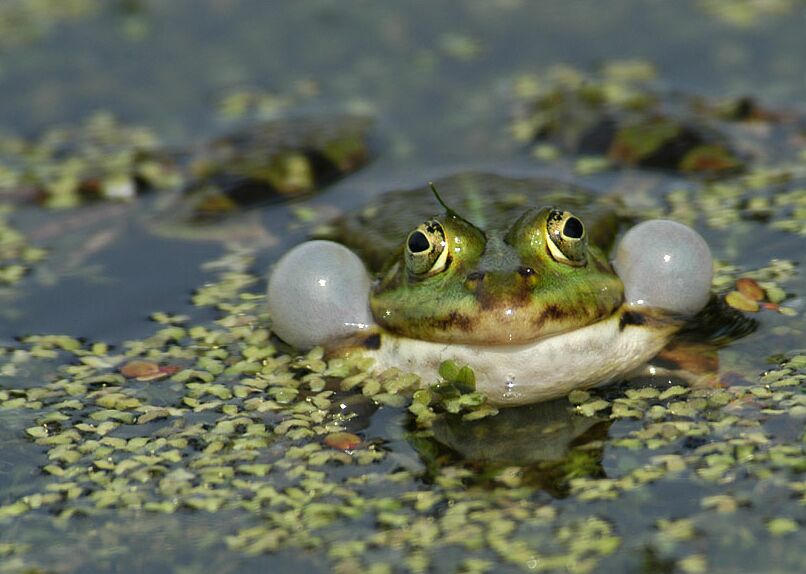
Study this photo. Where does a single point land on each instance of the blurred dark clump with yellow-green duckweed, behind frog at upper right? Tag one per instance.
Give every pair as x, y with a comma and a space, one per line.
620, 118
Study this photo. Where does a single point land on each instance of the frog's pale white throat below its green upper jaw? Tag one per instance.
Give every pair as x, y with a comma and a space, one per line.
552, 367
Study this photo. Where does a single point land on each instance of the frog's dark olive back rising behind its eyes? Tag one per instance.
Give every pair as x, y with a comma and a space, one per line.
488, 201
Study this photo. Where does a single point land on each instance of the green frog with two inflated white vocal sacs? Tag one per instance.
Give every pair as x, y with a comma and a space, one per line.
513, 277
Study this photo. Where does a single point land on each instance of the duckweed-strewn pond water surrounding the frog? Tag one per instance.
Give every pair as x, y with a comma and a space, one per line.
149, 421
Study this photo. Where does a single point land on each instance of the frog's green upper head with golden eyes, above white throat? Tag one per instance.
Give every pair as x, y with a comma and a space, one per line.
455, 283
